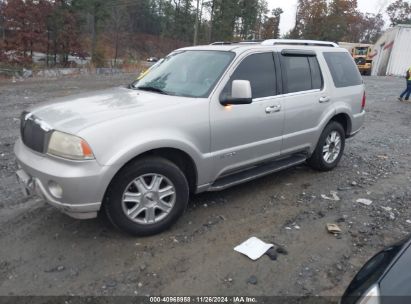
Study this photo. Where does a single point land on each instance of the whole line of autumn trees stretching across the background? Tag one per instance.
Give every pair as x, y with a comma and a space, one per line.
116, 29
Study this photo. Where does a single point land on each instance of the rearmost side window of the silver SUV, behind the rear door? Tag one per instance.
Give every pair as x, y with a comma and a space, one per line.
343, 69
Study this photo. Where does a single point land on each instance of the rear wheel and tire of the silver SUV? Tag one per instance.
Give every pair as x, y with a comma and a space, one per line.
322, 161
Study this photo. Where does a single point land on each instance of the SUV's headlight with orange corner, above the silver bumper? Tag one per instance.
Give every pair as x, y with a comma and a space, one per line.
69, 146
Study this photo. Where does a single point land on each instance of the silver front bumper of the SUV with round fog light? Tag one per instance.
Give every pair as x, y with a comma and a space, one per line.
82, 184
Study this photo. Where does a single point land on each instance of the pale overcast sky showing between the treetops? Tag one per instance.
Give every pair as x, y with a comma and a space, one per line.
289, 7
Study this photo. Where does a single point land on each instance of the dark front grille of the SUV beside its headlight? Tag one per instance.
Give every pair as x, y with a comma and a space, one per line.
34, 134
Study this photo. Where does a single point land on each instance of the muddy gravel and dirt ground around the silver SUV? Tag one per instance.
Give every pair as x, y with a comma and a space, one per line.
44, 252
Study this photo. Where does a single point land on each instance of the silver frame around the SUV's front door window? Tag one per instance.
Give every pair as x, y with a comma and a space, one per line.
276, 73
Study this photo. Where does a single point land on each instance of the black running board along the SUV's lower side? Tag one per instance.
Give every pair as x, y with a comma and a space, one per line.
257, 172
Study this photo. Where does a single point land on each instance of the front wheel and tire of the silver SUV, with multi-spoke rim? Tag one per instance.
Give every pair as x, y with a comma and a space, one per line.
147, 196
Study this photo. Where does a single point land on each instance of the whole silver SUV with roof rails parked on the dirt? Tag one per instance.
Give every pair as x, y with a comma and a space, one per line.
204, 119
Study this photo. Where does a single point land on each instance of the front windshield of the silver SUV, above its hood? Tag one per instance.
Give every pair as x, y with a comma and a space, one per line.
186, 73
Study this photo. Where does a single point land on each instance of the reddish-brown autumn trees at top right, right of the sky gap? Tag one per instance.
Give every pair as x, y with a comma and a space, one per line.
340, 20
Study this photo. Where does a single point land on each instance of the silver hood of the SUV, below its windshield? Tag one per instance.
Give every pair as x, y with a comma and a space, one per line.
74, 113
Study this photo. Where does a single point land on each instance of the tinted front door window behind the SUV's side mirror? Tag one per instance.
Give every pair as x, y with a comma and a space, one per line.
260, 71
